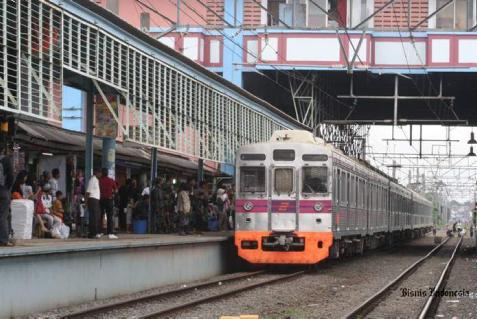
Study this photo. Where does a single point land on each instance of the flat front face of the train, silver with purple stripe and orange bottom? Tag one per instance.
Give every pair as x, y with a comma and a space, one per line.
283, 206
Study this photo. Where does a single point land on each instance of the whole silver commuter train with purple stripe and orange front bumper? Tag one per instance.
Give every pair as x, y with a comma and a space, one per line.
300, 201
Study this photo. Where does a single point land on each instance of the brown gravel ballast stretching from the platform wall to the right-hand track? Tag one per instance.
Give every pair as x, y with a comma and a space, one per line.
330, 291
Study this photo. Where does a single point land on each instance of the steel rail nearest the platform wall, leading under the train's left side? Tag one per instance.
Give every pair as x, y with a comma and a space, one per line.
130, 301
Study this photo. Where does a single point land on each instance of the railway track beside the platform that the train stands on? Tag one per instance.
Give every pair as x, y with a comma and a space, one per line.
169, 299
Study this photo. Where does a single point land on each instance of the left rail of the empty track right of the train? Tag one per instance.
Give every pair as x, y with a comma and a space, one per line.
366, 305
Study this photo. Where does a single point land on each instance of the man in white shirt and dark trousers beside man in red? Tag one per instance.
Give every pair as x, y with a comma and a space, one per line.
94, 209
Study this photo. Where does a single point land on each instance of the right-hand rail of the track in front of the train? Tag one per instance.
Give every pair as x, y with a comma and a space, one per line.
222, 295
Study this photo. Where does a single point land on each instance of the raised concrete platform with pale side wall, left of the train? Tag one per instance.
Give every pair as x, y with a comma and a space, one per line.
51, 273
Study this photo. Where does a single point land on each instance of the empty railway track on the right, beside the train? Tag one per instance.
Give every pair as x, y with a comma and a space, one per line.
426, 310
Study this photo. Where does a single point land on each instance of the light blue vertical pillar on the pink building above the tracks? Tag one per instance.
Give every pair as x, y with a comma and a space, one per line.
233, 42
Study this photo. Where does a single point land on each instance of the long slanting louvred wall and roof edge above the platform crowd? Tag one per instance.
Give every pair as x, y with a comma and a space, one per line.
165, 100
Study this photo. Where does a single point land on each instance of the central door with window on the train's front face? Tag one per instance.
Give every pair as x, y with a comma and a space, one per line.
283, 215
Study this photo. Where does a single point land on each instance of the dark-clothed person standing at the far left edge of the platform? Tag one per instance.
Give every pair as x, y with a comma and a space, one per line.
6, 181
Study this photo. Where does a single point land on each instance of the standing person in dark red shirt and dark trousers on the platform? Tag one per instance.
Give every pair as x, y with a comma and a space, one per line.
108, 188
